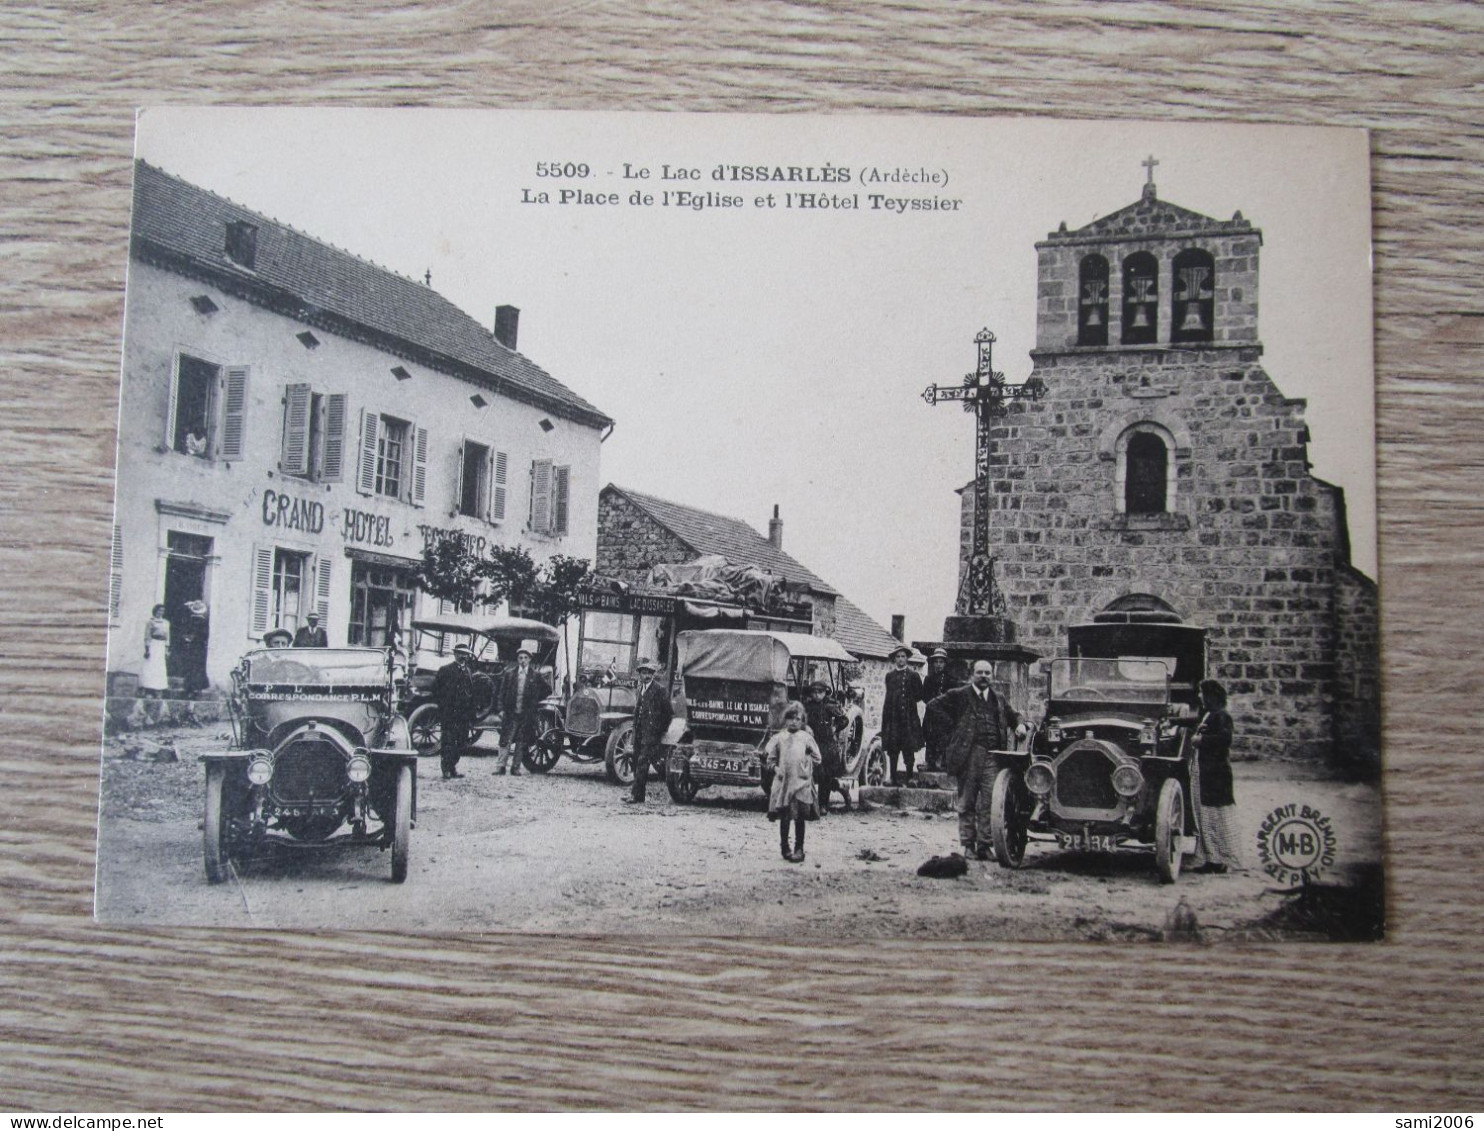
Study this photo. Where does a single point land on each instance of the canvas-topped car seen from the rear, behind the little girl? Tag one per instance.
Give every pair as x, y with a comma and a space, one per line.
735, 688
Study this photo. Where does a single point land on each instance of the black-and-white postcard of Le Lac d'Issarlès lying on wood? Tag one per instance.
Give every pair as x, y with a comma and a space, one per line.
811, 528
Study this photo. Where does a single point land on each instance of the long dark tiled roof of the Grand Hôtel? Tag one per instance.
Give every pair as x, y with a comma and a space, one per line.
186, 226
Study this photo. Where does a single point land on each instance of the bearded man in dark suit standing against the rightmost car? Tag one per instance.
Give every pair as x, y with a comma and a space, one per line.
979, 722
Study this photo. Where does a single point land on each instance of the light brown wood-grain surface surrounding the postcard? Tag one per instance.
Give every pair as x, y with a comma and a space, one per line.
188, 1020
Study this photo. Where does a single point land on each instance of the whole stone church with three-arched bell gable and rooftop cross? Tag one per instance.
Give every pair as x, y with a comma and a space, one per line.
1166, 473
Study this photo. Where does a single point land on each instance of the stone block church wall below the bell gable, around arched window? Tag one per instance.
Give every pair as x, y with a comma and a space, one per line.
1247, 548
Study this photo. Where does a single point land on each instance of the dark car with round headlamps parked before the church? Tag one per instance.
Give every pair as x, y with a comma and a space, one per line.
1114, 761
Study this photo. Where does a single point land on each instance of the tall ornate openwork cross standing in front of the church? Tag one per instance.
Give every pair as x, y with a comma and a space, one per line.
985, 394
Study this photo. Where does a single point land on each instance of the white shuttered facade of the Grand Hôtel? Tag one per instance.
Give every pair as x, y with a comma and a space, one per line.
271, 468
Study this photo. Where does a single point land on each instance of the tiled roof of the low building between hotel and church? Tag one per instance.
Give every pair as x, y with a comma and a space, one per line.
741, 545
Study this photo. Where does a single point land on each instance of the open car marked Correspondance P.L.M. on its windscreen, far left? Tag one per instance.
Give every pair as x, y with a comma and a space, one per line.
321, 758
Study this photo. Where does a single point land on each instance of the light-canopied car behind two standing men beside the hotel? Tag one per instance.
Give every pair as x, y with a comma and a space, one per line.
493, 642
